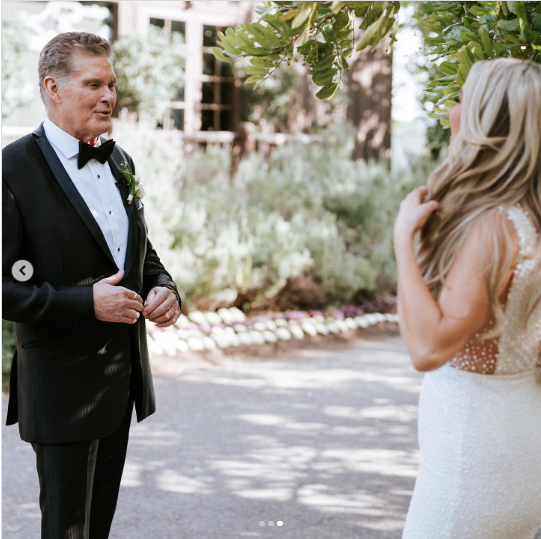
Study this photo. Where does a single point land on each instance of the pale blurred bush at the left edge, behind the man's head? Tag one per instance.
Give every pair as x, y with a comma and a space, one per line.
15, 55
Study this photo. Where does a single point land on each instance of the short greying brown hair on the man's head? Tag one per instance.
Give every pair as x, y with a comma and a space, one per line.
55, 58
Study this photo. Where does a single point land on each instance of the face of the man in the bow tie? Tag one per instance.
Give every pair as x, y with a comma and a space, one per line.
88, 97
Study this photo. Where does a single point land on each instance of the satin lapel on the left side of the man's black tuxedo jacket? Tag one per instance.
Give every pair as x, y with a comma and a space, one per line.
71, 191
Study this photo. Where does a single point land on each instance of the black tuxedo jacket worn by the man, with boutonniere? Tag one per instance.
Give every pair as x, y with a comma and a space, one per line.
70, 376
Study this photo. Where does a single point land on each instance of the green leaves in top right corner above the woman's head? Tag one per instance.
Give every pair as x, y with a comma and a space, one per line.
457, 34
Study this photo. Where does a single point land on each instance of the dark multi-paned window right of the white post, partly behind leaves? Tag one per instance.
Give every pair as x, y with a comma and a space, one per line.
218, 87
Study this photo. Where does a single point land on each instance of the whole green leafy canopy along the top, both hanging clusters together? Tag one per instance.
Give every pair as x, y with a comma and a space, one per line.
456, 34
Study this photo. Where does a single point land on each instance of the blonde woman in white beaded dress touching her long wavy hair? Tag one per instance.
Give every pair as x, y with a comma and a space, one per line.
469, 302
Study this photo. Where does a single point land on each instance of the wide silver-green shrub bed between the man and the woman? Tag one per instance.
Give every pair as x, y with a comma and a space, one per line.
307, 210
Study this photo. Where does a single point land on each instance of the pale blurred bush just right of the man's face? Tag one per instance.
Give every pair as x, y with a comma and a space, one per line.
150, 71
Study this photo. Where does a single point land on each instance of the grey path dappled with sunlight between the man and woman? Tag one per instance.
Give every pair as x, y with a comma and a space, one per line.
318, 445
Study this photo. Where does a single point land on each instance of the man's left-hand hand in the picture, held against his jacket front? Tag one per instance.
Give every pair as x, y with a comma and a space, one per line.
116, 303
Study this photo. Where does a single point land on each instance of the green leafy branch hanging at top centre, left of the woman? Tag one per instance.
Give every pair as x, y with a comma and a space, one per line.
321, 32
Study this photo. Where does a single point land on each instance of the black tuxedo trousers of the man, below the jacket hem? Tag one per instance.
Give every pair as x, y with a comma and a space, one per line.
79, 483
